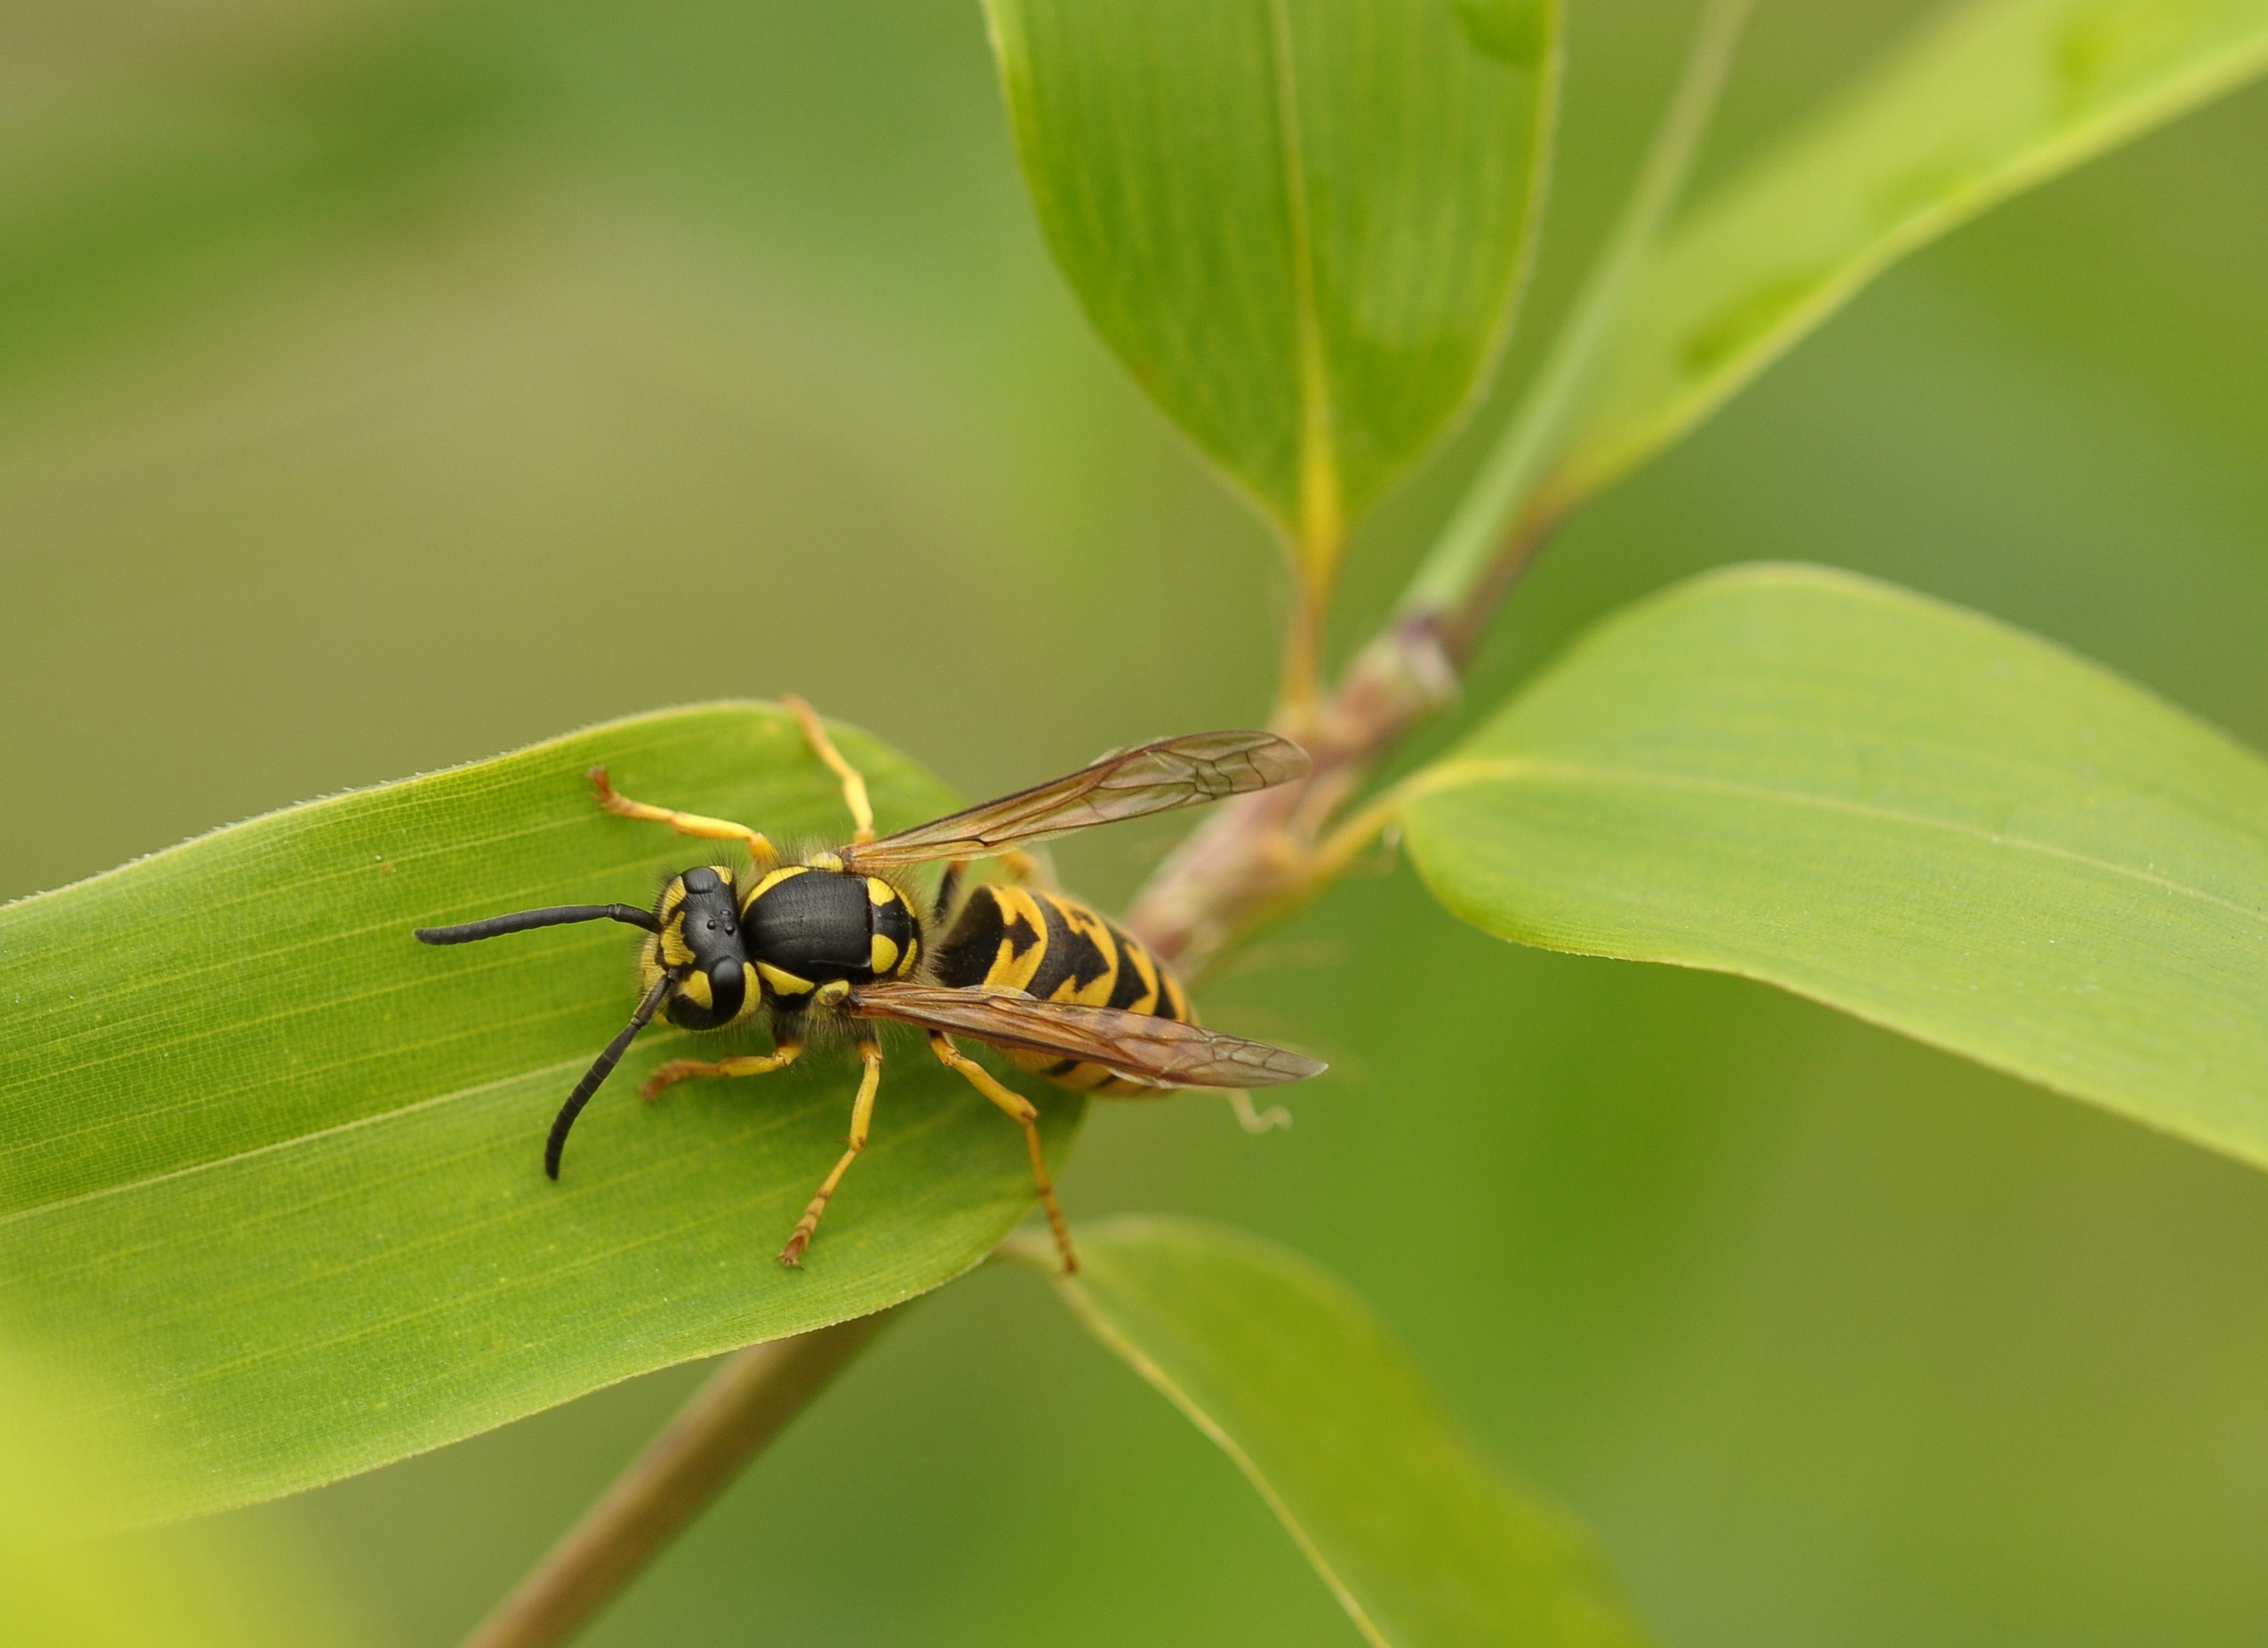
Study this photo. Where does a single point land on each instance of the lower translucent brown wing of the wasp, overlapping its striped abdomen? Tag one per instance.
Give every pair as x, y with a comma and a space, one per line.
1160, 1051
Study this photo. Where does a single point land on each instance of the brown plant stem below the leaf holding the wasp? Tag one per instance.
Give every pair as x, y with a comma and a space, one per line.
743, 1407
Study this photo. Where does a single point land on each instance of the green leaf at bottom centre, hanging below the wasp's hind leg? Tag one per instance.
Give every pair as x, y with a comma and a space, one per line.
1419, 1538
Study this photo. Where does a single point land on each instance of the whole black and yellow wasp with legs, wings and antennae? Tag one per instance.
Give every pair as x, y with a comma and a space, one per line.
831, 942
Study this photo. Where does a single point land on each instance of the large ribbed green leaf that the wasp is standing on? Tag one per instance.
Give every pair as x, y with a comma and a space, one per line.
273, 1169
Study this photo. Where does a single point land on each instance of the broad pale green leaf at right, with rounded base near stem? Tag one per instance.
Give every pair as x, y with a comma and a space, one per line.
1904, 810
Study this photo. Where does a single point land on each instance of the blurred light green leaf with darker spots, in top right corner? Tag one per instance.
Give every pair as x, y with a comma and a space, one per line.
1983, 103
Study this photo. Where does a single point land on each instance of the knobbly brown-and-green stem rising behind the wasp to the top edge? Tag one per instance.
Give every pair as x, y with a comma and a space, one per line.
1264, 856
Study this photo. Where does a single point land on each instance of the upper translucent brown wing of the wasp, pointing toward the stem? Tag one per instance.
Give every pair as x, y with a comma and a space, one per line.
1126, 785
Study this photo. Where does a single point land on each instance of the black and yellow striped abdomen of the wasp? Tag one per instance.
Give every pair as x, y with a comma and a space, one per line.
1058, 951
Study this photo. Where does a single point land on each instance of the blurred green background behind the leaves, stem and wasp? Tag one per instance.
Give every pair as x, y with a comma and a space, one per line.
391, 384
